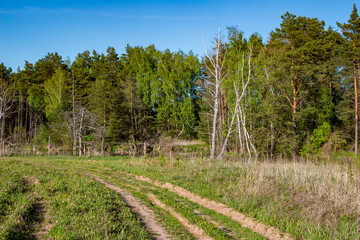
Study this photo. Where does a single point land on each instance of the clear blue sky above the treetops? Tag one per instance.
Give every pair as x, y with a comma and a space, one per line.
31, 29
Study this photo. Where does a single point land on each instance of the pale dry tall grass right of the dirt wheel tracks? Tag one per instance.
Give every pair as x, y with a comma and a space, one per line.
320, 193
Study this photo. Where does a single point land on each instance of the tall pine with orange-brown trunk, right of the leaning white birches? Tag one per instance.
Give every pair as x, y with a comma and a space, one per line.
295, 46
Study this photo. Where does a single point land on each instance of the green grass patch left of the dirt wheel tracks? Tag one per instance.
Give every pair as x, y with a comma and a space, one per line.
80, 207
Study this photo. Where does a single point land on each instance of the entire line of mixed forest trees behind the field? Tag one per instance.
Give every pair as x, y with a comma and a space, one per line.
294, 95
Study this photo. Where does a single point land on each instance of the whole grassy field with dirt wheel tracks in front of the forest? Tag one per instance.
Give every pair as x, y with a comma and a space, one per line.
160, 198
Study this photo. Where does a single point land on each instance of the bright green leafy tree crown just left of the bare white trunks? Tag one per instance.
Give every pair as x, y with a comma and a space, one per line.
174, 93
